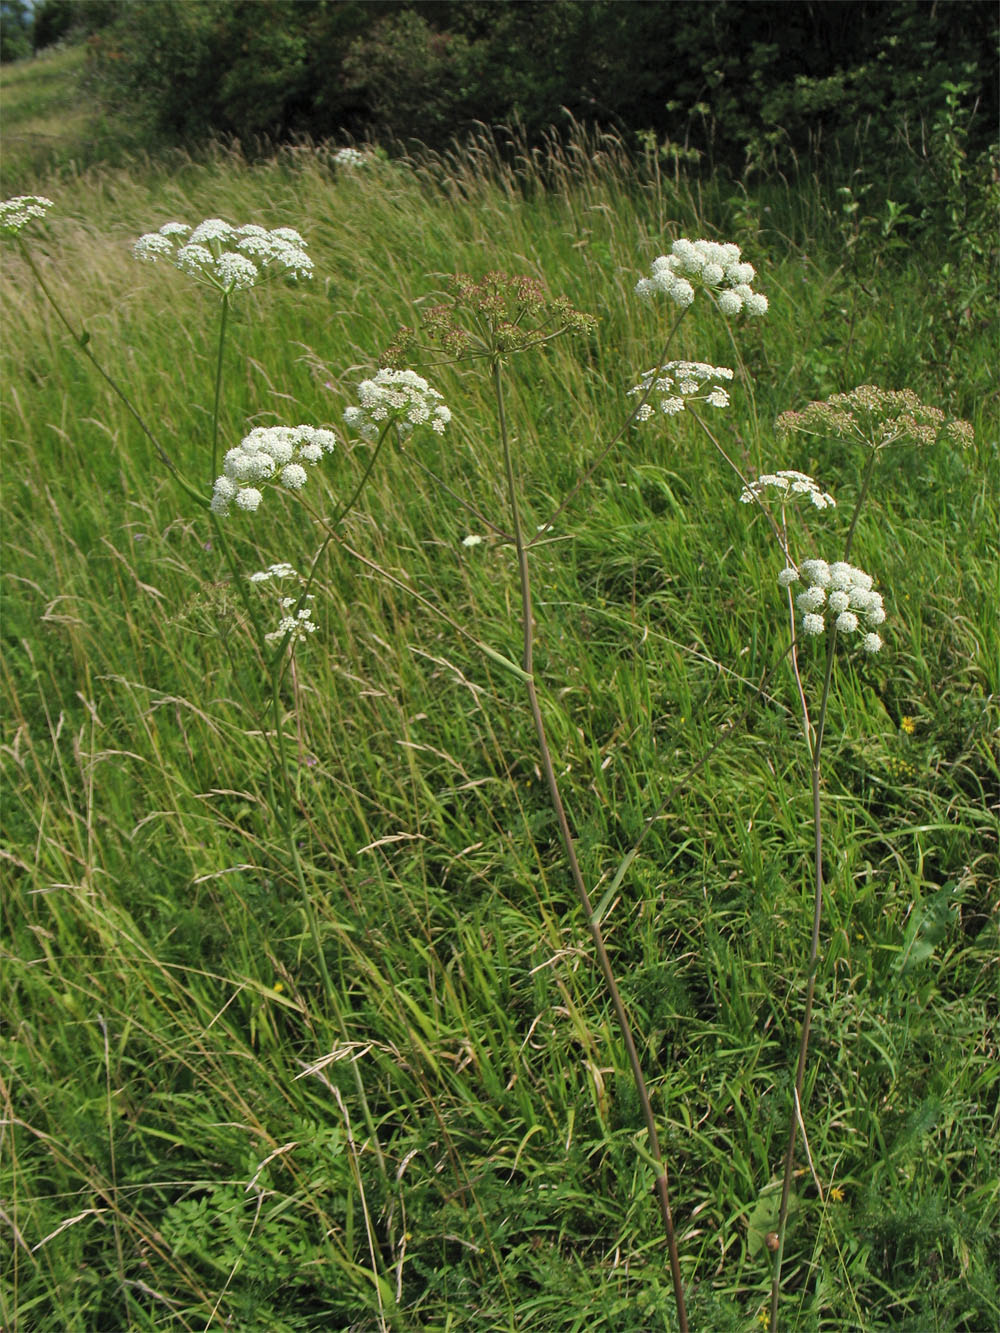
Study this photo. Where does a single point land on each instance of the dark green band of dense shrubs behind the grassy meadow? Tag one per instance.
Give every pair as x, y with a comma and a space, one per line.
739, 85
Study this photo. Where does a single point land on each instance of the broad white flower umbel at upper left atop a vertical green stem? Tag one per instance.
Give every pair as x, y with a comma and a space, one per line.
231, 259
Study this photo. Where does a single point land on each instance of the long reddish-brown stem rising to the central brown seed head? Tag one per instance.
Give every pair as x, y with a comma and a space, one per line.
570, 847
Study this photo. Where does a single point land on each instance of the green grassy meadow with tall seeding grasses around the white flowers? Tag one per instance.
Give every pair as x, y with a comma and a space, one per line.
197, 1132
